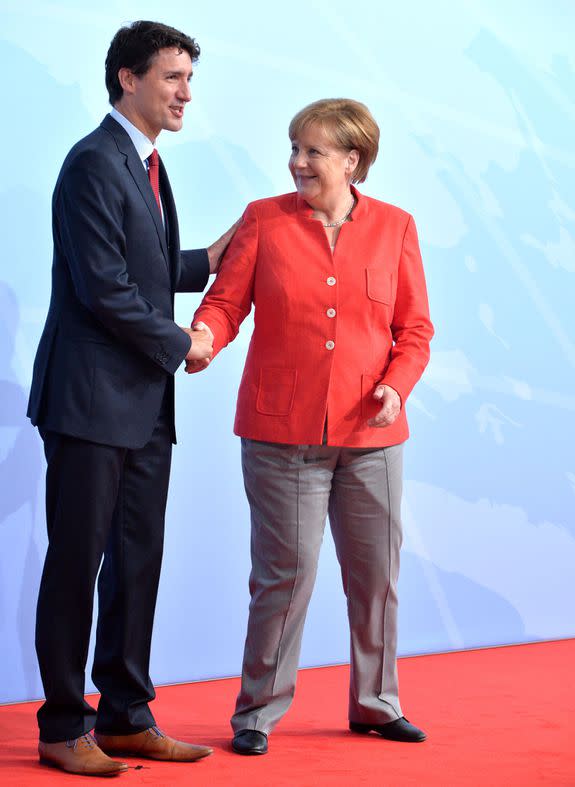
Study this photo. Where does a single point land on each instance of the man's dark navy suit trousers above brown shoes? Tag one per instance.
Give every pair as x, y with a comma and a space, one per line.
105, 510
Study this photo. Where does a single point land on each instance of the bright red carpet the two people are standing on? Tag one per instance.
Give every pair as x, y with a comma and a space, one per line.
494, 717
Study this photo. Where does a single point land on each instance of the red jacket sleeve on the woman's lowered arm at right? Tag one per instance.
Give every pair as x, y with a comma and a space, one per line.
411, 327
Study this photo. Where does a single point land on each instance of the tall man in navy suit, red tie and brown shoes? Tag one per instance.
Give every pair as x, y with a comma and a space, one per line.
103, 398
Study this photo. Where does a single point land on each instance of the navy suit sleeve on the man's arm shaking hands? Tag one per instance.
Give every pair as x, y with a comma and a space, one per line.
89, 206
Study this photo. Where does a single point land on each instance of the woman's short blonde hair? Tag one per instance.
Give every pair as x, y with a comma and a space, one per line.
348, 123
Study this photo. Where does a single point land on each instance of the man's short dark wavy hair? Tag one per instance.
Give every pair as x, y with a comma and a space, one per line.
135, 46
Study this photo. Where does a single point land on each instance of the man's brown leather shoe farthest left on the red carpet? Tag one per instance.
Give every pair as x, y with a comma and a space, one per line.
81, 755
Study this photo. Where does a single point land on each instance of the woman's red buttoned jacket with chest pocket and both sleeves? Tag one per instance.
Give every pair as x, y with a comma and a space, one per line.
328, 328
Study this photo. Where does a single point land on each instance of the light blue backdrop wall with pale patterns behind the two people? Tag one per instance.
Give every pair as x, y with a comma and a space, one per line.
475, 103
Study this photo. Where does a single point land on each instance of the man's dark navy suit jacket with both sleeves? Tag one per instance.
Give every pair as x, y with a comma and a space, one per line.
110, 346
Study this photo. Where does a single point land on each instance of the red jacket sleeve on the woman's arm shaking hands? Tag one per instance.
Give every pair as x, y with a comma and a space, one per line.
229, 300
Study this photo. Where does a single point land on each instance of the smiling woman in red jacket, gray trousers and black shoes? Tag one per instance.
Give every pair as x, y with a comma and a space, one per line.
341, 336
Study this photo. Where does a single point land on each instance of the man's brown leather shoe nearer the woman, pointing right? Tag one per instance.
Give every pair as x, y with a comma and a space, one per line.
152, 744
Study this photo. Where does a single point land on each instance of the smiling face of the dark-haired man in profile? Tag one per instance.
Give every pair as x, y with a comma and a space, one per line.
157, 99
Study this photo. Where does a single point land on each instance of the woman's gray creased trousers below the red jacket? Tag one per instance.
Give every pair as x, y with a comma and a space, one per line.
291, 489
